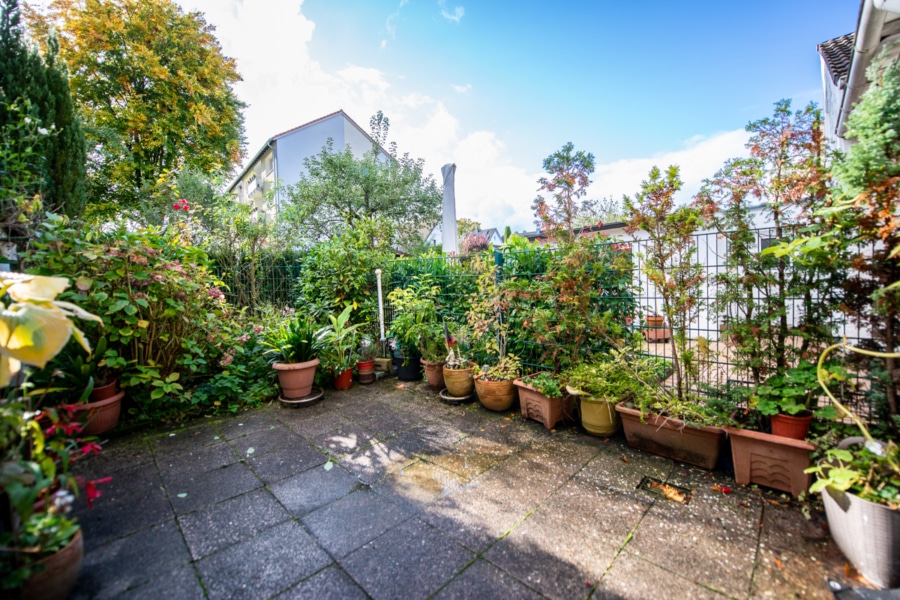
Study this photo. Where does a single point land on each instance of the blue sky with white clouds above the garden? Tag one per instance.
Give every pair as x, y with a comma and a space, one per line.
497, 86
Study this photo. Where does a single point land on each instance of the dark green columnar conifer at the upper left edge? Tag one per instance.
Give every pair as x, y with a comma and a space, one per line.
41, 87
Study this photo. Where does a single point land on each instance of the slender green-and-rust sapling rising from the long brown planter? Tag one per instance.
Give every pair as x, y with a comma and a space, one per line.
670, 264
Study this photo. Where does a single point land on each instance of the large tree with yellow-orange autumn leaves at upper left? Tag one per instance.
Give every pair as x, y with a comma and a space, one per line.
154, 89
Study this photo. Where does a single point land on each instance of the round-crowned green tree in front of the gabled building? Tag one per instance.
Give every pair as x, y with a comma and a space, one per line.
340, 190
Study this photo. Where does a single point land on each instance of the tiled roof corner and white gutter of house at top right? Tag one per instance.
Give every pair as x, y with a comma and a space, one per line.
845, 60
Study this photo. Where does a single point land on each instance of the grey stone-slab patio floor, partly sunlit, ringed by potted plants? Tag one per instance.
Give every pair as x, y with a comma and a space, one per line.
384, 491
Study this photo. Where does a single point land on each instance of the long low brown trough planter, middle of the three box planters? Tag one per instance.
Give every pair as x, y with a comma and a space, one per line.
671, 438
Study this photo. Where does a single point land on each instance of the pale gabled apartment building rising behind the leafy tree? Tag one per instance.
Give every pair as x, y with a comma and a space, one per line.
281, 158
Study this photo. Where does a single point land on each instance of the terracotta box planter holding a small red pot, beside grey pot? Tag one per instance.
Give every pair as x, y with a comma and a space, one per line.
770, 460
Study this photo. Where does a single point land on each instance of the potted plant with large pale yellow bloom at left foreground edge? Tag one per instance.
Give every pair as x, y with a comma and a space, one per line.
43, 545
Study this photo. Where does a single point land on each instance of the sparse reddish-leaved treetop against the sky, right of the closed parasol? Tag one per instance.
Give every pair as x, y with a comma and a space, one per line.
569, 178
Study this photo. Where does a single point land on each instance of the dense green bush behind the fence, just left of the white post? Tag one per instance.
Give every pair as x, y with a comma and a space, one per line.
341, 272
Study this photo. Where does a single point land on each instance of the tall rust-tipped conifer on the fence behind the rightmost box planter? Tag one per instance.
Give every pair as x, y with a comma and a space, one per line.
756, 291
